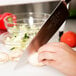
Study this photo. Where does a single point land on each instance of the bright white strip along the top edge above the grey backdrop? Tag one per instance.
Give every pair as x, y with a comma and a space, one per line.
15, 2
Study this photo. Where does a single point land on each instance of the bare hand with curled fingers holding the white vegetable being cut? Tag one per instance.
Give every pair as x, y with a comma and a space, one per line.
60, 56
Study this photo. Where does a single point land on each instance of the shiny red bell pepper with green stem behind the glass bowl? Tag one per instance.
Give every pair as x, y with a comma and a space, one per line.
9, 16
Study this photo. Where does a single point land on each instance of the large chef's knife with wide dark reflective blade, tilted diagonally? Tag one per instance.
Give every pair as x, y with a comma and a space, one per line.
52, 24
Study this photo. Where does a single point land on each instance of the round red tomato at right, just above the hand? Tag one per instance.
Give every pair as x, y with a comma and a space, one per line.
69, 38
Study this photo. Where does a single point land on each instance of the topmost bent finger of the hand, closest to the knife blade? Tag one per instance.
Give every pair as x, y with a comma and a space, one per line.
54, 47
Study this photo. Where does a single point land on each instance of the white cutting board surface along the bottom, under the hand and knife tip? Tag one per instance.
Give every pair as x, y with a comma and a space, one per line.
7, 69
